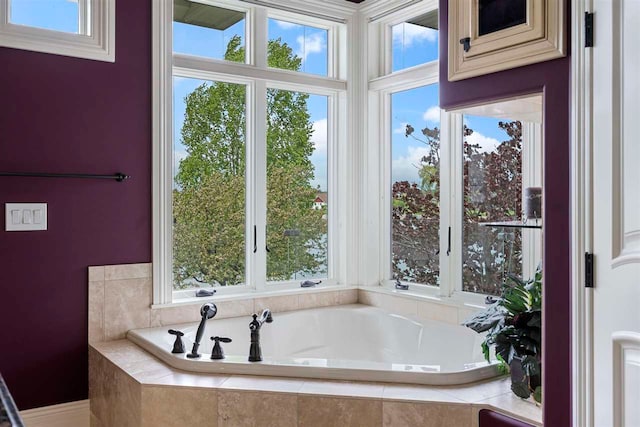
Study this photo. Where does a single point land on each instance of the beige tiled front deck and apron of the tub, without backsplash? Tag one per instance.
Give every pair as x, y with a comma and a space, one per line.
130, 387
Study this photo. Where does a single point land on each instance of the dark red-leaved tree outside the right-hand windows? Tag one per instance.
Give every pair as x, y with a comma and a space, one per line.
492, 187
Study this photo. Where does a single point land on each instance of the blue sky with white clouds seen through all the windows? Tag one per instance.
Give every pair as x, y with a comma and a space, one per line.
411, 45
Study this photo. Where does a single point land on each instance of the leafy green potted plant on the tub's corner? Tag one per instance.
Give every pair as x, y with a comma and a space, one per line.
513, 326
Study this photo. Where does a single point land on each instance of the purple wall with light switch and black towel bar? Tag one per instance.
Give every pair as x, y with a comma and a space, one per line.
60, 114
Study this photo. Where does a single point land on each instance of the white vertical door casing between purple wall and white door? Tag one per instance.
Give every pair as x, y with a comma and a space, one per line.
581, 220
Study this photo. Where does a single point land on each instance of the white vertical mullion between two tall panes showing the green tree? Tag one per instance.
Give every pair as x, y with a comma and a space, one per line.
257, 185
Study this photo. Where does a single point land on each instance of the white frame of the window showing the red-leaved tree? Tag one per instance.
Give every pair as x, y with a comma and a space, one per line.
382, 84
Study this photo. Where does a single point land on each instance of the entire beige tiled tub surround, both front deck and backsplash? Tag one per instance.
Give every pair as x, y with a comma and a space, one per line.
130, 387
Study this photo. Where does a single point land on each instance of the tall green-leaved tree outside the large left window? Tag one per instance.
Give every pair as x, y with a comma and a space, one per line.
209, 199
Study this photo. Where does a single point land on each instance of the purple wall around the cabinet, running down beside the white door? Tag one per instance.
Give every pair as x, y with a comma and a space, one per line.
551, 78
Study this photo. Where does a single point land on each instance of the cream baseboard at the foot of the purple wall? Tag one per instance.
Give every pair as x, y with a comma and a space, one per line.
72, 414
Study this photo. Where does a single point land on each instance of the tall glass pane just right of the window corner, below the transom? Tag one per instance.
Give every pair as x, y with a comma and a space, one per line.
415, 188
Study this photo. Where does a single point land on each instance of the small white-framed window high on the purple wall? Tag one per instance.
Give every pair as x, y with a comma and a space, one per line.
78, 28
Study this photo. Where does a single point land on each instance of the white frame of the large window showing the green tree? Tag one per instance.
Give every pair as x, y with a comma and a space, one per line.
258, 78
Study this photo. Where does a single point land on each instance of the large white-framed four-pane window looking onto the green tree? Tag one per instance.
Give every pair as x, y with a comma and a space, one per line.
245, 162
